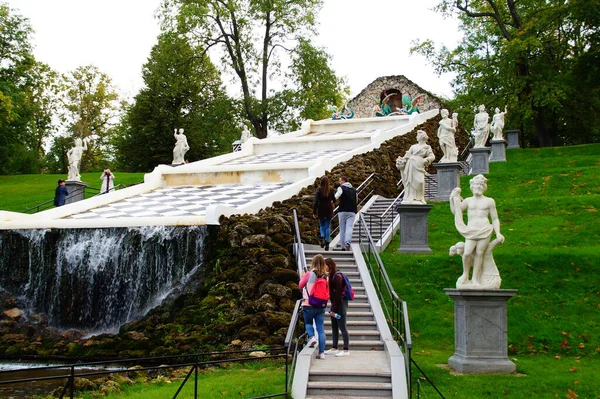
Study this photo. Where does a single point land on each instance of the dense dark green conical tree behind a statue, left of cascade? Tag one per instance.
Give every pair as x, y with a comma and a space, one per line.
182, 91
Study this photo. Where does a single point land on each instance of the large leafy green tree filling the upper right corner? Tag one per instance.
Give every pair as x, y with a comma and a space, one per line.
525, 54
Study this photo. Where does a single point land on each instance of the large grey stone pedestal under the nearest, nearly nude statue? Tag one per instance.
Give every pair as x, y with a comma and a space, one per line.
480, 330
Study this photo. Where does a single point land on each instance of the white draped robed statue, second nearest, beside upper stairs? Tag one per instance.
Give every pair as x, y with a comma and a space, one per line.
412, 166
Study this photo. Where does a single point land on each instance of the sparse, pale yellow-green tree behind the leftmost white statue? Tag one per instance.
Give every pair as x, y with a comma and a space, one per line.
91, 107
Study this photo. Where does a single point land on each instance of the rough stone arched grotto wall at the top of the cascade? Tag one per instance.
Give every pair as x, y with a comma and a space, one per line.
363, 103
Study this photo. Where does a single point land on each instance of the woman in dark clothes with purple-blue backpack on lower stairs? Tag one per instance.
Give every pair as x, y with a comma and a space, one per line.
339, 306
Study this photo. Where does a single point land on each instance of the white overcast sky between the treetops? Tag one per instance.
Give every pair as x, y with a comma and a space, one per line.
365, 40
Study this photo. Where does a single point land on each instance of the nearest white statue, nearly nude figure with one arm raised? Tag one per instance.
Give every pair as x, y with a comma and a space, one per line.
477, 249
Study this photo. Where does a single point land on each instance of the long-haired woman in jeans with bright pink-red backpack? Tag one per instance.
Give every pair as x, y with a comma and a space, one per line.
314, 312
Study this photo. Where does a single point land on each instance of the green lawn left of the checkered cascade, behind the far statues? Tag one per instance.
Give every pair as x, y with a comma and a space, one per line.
20, 192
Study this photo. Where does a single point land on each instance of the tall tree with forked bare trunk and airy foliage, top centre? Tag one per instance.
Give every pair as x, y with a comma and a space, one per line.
253, 39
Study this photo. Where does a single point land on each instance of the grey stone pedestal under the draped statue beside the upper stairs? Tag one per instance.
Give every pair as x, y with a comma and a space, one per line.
414, 229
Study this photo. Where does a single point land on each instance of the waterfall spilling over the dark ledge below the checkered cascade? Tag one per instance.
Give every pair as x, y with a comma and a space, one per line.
97, 279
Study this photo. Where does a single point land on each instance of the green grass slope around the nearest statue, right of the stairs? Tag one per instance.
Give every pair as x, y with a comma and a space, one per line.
547, 201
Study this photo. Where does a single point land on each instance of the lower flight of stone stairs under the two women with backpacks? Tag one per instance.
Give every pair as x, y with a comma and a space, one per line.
366, 373
